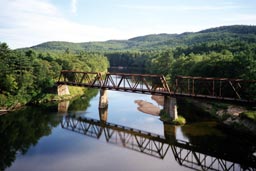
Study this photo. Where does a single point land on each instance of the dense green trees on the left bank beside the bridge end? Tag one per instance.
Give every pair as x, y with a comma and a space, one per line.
24, 74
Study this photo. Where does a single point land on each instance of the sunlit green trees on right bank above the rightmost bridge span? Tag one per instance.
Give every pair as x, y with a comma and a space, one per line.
236, 60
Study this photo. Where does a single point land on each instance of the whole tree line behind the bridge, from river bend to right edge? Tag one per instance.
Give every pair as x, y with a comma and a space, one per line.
234, 60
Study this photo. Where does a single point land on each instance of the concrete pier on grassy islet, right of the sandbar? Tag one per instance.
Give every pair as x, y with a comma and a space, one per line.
170, 107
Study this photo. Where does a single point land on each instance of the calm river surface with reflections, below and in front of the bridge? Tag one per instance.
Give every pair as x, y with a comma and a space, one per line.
121, 138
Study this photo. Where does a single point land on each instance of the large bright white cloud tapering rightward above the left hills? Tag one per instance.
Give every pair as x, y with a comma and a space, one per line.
30, 22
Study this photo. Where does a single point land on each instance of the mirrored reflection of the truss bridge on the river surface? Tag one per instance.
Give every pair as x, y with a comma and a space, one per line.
186, 154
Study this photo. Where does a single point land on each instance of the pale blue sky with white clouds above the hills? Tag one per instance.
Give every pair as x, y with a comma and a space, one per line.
25, 23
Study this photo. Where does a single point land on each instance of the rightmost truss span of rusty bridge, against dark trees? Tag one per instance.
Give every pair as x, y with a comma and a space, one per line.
217, 88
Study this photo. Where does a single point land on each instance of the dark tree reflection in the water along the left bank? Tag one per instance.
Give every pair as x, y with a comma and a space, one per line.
22, 129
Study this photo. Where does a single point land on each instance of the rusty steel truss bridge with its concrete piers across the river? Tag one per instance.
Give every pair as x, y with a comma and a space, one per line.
221, 89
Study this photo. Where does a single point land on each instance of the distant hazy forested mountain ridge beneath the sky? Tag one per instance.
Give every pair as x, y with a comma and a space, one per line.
224, 34
